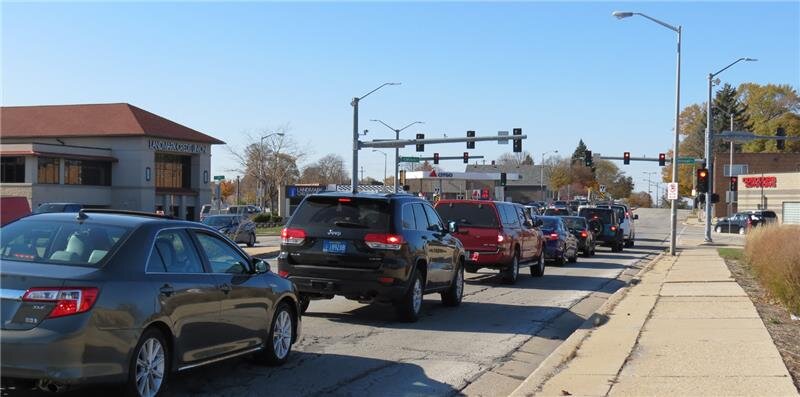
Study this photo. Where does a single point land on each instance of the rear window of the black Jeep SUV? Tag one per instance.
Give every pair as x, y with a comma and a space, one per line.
325, 212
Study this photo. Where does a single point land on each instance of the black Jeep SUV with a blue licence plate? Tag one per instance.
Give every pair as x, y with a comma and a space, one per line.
372, 247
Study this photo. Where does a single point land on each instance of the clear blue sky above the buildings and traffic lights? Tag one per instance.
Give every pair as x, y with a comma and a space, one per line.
560, 71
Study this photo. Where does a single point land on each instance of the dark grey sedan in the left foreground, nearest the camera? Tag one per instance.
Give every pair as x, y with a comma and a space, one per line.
106, 297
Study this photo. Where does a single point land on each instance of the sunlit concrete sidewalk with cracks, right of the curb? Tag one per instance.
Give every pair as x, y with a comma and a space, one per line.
687, 329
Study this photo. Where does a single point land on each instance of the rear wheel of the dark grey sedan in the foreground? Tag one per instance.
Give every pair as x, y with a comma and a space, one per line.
152, 350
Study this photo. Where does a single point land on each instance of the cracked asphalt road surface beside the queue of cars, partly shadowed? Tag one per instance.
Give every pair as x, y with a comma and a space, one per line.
486, 346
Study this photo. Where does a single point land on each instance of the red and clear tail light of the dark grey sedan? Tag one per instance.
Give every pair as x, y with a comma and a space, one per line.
68, 300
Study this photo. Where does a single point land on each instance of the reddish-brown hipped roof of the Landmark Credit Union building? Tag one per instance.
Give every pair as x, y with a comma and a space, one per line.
92, 120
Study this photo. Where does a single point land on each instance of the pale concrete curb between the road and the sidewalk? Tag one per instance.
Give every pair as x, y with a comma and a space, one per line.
566, 351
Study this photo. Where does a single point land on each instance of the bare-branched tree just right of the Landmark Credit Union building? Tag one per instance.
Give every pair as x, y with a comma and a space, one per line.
271, 158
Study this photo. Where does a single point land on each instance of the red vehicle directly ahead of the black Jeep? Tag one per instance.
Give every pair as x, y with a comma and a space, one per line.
496, 235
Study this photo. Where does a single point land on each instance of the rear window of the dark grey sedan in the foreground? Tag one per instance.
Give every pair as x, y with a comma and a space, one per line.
59, 242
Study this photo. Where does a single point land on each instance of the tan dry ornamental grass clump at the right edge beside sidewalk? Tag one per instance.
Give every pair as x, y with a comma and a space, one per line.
772, 252
